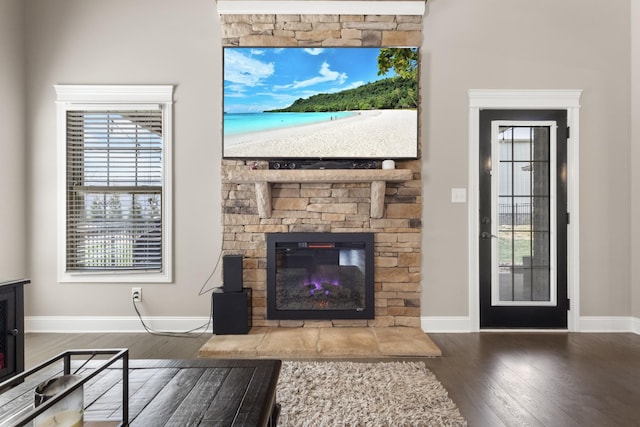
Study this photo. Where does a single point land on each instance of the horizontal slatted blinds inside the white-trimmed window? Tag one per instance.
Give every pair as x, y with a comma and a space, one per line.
114, 190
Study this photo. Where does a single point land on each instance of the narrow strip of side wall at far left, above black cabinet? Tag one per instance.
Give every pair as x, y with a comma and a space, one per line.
13, 174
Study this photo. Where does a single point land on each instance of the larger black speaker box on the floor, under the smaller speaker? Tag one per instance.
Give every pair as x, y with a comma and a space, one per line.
231, 312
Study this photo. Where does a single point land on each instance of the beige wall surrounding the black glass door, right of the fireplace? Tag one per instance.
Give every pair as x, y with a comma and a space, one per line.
521, 44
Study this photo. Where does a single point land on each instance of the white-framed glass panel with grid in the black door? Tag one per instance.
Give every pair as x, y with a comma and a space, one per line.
523, 197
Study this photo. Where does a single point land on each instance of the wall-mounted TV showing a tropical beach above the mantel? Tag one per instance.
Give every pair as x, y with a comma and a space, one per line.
320, 102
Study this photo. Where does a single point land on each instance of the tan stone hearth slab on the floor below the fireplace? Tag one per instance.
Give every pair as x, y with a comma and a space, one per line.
314, 343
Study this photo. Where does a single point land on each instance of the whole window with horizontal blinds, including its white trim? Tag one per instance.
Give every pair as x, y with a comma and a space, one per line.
116, 190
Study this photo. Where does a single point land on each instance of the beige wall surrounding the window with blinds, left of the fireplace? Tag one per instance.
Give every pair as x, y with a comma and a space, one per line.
128, 42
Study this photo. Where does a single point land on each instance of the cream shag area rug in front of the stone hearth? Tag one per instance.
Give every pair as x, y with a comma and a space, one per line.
363, 394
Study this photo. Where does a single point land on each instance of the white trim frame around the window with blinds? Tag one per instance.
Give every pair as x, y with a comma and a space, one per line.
109, 96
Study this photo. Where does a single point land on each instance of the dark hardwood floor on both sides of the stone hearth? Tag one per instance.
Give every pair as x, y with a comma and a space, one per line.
496, 379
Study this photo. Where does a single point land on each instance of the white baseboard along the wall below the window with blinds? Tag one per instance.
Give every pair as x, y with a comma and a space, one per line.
125, 324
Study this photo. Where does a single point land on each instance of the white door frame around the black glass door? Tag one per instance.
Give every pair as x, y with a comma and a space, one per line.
505, 99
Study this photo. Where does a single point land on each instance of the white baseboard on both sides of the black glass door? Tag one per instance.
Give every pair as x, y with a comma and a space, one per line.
456, 324
